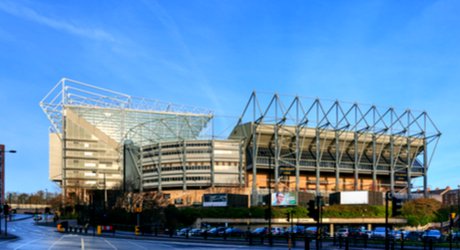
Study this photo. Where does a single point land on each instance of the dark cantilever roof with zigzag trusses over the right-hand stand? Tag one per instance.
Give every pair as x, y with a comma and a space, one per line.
336, 137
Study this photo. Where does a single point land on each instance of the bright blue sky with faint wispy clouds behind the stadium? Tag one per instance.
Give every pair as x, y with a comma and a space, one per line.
213, 54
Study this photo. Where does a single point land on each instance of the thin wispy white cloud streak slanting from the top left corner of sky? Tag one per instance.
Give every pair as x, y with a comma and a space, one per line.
32, 15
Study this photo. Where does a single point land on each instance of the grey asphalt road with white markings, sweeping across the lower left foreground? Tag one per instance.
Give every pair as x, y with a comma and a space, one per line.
31, 236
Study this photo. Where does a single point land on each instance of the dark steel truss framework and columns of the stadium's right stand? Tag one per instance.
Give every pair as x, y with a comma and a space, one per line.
405, 135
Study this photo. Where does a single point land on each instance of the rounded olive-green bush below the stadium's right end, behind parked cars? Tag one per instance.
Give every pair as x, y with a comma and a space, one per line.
420, 211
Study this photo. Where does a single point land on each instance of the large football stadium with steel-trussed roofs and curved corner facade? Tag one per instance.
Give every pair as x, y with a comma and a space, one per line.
105, 140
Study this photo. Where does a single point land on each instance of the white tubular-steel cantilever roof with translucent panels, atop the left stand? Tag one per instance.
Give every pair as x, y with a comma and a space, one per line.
121, 116
